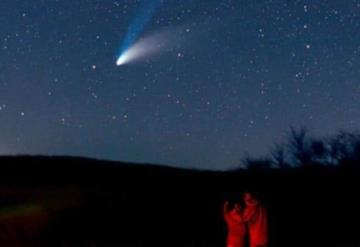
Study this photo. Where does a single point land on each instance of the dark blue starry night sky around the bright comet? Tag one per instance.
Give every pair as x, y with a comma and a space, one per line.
235, 76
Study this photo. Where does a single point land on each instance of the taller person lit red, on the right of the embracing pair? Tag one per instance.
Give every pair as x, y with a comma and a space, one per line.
256, 216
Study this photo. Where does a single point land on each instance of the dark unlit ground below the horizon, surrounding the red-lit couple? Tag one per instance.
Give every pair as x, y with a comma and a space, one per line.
63, 201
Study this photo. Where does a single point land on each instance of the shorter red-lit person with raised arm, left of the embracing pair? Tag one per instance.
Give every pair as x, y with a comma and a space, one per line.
236, 225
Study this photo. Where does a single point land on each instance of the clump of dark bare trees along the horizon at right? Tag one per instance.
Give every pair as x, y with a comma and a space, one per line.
300, 149
